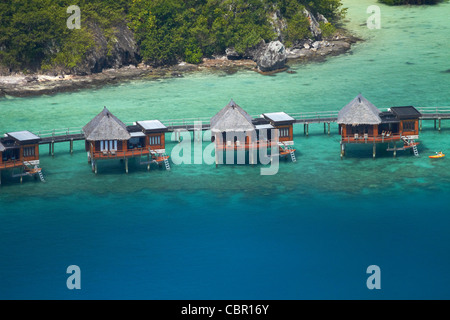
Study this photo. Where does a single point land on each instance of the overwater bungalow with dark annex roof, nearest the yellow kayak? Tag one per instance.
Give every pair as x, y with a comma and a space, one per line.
362, 122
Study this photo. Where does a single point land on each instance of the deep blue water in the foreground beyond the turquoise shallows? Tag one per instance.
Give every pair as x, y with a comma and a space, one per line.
201, 246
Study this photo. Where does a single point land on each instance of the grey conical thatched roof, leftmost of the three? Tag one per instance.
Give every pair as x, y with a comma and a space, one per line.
105, 126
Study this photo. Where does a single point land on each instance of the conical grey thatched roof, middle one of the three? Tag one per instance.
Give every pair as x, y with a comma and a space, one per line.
232, 118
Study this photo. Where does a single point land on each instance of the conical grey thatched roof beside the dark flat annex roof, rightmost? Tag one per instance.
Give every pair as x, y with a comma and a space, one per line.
359, 111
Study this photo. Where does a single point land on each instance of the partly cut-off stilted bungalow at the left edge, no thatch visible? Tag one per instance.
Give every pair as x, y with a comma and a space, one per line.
20, 150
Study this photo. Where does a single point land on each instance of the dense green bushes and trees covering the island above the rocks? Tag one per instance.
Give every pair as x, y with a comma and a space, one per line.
34, 35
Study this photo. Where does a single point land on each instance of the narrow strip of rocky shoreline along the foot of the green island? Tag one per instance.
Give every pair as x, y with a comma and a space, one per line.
20, 85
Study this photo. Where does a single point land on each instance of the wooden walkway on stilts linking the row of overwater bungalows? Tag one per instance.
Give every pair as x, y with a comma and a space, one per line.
51, 137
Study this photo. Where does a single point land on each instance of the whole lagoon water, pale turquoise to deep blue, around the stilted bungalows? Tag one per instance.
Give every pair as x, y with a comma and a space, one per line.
197, 232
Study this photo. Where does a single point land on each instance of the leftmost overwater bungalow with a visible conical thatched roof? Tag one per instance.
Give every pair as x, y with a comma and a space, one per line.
107, 137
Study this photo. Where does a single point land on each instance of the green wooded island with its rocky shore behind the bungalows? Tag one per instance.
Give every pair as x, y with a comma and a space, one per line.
125, 39
